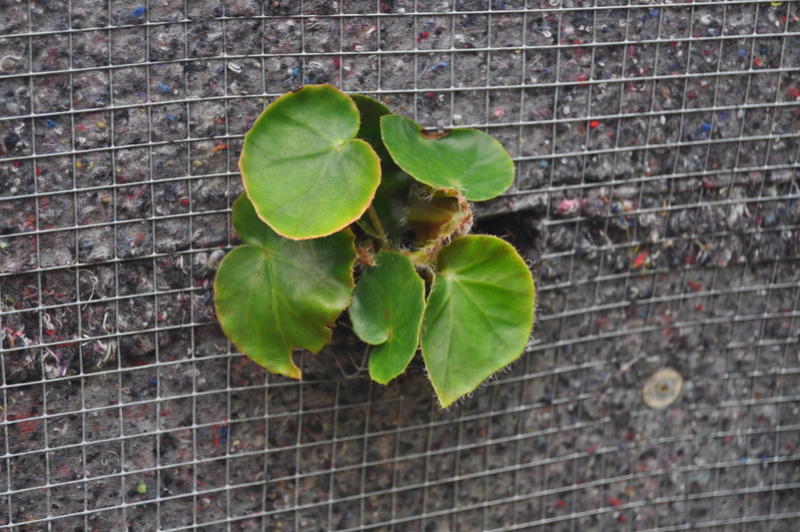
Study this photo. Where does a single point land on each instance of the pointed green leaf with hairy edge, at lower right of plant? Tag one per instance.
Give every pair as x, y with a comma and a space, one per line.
479, 314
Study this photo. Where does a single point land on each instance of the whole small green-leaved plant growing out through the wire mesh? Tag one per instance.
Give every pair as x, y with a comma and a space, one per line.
338, 190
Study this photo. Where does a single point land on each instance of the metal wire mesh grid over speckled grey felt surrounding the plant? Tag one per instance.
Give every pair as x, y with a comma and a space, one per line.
657, 152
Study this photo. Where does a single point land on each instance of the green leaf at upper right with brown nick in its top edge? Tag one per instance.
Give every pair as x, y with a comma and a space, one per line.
467, 160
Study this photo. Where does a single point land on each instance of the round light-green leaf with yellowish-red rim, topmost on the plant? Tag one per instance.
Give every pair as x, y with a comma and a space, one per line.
303, 169
